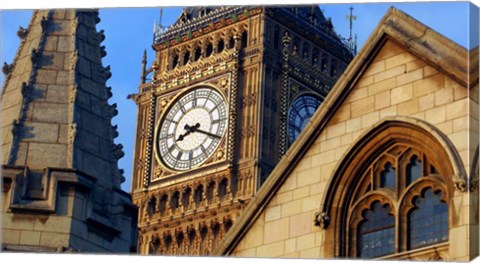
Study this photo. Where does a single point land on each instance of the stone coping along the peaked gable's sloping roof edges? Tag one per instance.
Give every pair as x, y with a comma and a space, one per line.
437, 50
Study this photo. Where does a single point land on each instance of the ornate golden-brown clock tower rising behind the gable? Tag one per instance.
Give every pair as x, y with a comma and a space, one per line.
228, 92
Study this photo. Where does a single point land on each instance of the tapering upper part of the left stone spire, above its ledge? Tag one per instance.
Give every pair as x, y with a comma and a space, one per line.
55, 98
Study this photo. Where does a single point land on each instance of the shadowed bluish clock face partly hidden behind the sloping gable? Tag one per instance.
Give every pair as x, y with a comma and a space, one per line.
299, 114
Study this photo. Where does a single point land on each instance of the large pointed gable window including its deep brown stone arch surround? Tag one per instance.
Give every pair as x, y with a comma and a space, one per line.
390, 196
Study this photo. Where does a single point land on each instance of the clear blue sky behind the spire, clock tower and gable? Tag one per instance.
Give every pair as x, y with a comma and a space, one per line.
129, 31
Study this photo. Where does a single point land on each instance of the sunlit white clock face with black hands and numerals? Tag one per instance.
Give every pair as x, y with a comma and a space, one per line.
192, 129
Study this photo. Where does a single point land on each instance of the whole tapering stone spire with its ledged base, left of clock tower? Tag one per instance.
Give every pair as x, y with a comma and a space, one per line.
61, 182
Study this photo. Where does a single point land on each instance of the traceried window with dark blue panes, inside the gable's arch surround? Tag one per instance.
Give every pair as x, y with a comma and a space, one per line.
418, 214
